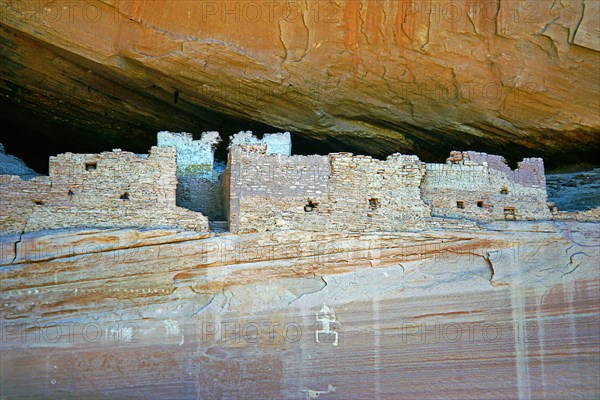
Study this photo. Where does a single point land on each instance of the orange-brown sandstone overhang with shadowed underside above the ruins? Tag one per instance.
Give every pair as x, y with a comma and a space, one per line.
422, 77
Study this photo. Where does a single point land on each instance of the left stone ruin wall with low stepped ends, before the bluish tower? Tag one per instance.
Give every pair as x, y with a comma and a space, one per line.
112, 189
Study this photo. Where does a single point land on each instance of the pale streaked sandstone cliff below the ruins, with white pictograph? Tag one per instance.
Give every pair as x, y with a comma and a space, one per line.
167, 314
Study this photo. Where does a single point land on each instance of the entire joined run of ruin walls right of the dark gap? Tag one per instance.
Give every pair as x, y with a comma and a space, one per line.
346, 192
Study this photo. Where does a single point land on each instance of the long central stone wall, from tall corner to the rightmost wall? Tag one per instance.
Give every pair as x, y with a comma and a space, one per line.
336, 192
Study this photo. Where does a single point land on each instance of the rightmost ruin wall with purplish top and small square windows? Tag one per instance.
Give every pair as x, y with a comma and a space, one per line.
483, 187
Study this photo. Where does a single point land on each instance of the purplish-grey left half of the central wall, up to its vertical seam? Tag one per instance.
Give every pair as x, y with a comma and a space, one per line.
269, 191
